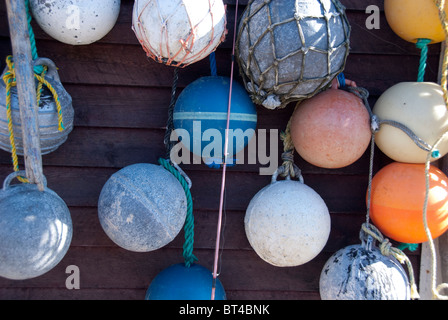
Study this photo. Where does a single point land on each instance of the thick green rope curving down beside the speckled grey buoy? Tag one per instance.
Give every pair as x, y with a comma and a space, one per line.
189, 257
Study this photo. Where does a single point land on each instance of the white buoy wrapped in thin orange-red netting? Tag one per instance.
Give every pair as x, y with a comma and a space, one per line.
179, 32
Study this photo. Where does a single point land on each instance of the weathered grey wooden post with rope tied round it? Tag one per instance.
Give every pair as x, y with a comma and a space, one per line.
26, 89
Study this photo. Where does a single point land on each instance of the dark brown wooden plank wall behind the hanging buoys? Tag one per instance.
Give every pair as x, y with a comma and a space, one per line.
121, 100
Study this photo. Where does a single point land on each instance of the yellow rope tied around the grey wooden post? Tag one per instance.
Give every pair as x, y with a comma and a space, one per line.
9, 79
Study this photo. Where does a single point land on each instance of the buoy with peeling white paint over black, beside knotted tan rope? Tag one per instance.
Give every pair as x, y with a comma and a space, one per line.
362, 272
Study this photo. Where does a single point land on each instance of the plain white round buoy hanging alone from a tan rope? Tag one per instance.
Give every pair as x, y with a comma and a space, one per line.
287, 223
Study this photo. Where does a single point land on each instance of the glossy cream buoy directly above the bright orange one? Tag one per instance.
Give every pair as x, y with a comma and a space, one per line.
420, 107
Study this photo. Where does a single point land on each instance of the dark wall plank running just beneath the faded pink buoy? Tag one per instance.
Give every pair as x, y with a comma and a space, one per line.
82, 186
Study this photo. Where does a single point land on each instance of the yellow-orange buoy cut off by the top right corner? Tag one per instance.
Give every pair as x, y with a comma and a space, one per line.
415, 19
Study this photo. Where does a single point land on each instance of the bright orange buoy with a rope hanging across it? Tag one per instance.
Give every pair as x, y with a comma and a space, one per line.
397, 200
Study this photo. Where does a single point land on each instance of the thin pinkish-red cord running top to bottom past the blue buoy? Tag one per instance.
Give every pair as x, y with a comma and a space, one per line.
223, 180
